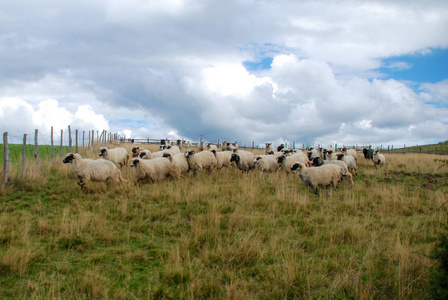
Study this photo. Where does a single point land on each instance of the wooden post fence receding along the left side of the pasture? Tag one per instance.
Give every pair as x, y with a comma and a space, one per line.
14, 151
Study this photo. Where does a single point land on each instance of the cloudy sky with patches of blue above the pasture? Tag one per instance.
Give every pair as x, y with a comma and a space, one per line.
304, 72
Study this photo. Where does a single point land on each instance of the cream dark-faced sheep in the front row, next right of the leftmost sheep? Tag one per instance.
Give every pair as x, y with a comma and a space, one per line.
153, 170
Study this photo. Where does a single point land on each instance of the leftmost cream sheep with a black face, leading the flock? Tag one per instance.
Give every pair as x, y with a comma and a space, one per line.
87, 169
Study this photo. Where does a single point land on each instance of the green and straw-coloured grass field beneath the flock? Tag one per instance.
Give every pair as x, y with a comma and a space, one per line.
224, 235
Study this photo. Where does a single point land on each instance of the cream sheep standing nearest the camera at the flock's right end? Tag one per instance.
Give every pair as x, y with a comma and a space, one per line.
326, 175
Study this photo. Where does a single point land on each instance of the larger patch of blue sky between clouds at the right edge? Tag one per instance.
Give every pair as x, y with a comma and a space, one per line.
431, 67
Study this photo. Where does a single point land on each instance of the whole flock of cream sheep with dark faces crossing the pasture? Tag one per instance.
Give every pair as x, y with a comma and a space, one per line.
315, 167
